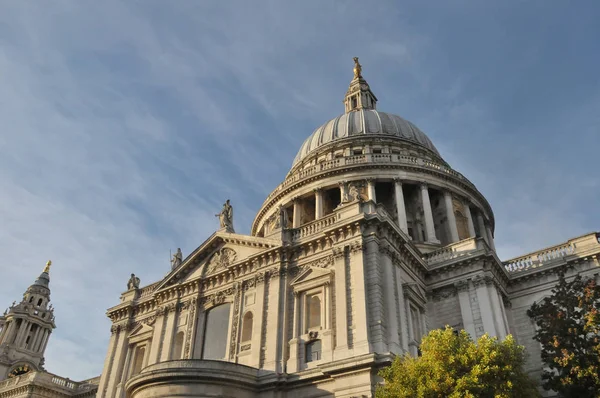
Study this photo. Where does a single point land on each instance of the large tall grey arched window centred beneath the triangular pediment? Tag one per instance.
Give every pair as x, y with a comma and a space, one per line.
216, 332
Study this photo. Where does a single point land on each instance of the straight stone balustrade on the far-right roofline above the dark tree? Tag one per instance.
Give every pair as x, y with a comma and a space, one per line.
554, 254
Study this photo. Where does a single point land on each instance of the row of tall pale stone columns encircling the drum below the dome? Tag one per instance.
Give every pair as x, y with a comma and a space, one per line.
430, 235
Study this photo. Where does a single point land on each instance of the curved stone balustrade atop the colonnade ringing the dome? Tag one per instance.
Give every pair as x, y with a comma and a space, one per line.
383, 158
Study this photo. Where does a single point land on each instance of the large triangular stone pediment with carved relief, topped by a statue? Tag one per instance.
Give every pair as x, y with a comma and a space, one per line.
220, 251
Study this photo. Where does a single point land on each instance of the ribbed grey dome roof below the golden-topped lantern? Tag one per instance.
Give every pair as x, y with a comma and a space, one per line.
363, 122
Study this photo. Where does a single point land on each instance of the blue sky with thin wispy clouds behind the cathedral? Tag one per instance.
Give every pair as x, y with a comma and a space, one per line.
125, 125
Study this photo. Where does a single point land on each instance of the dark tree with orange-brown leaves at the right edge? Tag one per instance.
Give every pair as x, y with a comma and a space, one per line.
568, 326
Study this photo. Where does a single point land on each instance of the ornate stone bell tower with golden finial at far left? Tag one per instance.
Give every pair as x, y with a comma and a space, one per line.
25, 329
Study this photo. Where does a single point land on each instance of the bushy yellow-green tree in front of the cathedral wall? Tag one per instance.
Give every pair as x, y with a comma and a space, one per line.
452, 365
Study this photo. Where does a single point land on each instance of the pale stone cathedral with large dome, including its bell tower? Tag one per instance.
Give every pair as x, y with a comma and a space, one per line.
371, 240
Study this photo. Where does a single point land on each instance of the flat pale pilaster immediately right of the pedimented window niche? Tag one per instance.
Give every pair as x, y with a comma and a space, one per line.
341, 316
